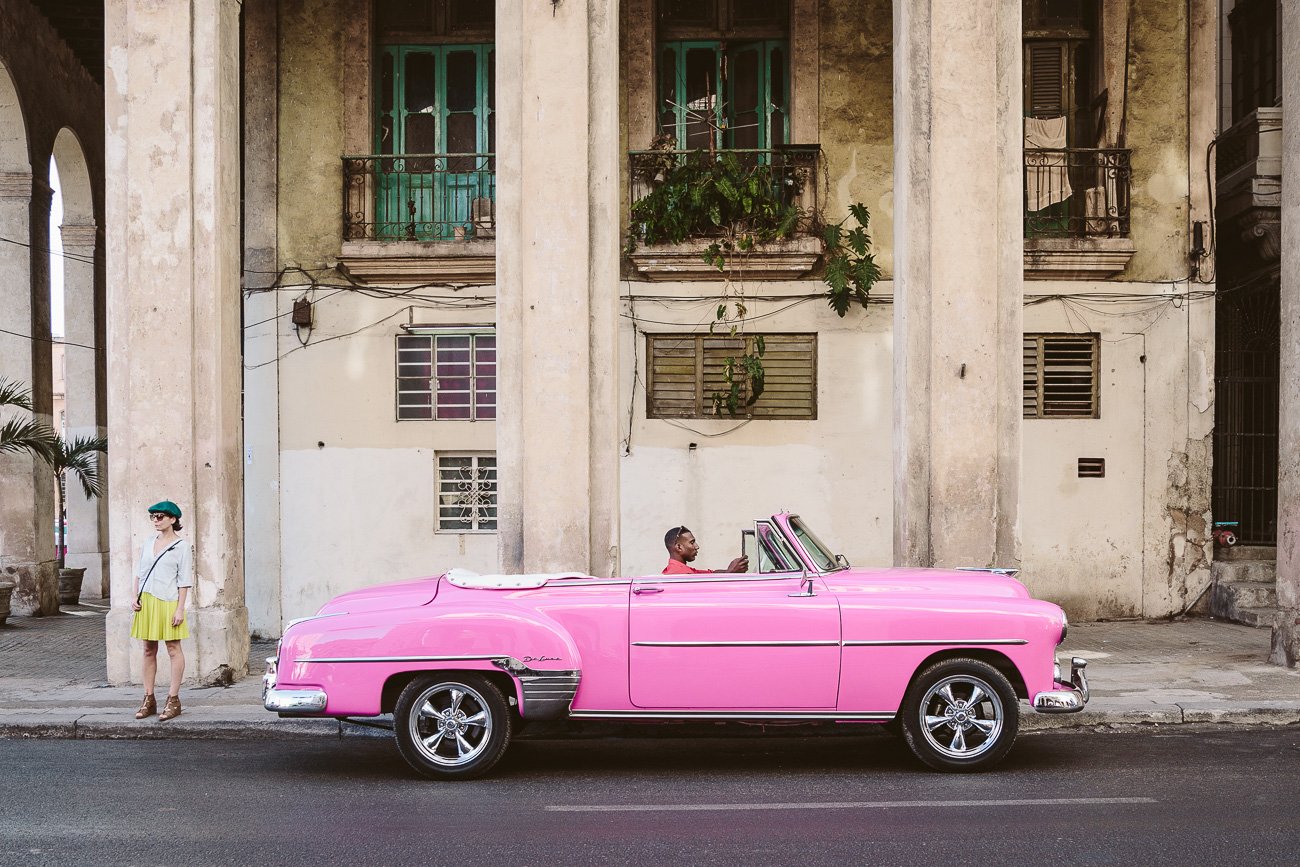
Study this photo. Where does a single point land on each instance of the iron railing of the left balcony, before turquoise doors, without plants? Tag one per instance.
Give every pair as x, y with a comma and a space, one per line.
419, 197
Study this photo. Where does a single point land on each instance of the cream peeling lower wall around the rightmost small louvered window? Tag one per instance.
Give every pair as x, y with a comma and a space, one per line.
1136, 543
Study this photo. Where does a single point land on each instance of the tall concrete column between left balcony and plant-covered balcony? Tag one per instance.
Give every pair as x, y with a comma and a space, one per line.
557, 284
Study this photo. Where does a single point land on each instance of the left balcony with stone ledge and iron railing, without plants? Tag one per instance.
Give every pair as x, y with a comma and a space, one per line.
421, 218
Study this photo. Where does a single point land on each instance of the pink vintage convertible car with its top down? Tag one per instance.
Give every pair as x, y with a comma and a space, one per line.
462, 660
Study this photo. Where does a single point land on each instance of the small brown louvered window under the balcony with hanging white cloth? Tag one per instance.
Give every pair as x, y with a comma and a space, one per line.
1063, 376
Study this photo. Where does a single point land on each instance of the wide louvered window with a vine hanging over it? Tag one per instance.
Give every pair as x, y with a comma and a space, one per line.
687, 370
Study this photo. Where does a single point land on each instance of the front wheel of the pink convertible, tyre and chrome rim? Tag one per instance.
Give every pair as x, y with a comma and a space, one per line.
961, 716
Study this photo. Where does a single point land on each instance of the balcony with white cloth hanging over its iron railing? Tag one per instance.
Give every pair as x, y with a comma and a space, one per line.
1077, 213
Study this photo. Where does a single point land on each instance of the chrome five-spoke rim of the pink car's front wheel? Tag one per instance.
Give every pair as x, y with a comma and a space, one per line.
961, 717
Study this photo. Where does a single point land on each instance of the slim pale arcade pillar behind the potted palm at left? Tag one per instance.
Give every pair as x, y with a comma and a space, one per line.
88, 519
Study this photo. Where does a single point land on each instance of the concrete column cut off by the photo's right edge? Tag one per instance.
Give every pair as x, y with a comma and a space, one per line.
1286, 630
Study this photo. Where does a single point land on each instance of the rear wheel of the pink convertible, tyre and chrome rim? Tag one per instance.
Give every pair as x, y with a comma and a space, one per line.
452, 727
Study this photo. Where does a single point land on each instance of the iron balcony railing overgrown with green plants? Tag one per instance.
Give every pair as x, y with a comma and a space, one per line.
786, 176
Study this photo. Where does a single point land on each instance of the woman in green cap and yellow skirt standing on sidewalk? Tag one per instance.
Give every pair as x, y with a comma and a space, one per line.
163, 583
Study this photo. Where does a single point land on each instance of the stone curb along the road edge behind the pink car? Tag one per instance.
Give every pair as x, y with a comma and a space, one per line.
205, 725
